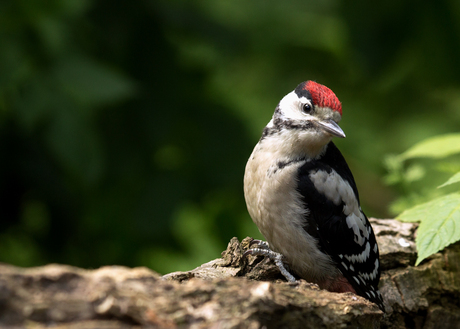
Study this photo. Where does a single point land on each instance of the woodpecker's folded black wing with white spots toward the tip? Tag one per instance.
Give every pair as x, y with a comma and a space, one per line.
327, 222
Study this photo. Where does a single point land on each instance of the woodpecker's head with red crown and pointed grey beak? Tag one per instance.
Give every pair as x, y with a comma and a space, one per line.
308, 116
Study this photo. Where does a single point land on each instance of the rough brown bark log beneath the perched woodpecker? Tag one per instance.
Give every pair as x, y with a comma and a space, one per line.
233, 292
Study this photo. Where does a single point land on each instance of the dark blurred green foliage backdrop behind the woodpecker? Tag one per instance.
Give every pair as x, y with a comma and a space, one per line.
125, 125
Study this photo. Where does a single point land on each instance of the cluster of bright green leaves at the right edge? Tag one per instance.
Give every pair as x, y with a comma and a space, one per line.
437, 209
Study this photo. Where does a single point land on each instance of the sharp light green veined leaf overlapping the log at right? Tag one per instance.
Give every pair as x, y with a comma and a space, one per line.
440, 224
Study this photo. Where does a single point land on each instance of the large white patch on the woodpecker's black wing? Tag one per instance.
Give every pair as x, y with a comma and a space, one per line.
336, 189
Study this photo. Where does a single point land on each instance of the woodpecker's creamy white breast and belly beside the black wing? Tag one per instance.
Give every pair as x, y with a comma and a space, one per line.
276, 207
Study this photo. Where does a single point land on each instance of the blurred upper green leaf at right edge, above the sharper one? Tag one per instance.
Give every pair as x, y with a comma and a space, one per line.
436, 147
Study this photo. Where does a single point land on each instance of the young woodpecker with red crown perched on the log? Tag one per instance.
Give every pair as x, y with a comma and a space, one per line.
302, 196
